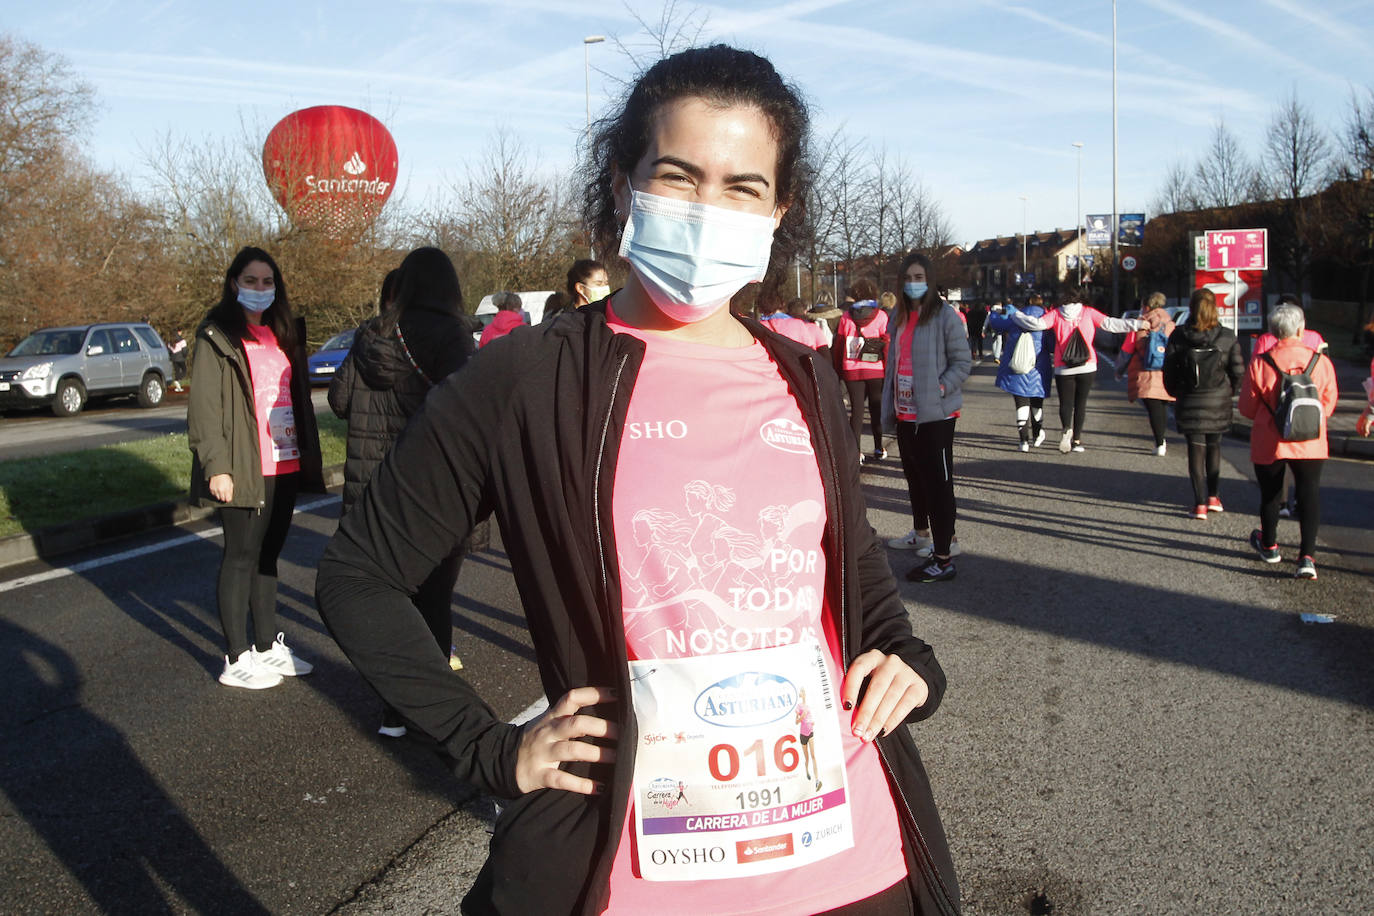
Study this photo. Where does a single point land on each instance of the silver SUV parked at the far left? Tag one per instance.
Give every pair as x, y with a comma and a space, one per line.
64, 367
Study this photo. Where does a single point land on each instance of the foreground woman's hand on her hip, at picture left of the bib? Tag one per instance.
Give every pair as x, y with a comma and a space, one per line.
556, 738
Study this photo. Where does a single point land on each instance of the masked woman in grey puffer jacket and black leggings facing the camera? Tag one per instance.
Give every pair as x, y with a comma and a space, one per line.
928, 363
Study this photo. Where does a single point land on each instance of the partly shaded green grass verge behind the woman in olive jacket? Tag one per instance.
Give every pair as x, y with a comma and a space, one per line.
74, 485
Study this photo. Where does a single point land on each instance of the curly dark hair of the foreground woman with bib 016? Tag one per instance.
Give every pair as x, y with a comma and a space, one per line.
722, 76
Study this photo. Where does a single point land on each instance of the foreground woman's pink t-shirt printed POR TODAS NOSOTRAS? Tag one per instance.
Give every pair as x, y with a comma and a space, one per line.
719, 520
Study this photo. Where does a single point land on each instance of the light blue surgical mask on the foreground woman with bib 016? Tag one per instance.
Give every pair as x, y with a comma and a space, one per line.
693, 257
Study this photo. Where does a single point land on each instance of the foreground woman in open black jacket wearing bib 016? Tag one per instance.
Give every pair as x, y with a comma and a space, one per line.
759, 577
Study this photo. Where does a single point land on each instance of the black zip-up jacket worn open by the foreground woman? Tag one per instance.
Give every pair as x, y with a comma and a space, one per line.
531, 431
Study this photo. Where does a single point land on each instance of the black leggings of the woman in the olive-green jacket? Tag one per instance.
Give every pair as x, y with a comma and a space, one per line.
254, 540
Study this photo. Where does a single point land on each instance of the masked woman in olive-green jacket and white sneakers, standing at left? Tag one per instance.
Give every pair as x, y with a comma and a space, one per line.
255, 447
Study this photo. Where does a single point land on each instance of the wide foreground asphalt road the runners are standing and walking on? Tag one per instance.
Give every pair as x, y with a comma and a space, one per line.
1137, 719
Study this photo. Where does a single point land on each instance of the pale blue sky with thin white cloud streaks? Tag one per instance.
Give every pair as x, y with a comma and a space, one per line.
983, 98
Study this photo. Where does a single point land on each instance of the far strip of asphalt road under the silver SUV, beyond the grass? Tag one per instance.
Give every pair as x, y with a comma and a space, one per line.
38, 433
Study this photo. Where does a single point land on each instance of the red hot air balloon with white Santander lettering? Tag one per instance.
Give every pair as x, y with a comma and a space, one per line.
332, 168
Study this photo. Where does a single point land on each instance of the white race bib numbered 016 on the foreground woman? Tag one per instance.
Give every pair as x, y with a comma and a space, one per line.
740, 768
